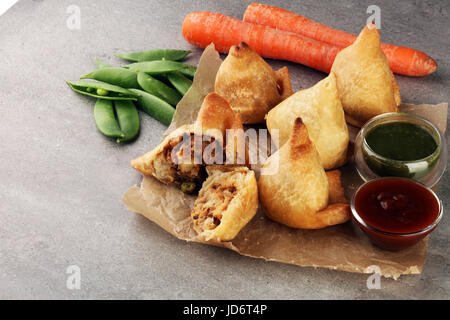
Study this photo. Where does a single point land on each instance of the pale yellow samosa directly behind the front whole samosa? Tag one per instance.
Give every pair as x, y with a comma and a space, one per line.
321, 111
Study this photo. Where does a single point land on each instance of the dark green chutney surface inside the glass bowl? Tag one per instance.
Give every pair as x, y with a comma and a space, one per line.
401, 141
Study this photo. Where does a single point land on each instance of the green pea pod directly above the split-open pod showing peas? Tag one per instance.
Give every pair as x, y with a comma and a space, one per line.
114, 75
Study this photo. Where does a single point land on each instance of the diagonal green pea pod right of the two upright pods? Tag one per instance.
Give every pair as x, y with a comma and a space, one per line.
154, 106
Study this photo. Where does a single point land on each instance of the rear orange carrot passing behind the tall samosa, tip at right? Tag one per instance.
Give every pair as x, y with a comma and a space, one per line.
402, 60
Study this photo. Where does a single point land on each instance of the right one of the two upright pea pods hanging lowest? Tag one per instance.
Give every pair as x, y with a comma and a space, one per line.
128, 118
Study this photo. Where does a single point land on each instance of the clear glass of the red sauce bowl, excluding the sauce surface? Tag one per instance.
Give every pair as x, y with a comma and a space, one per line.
394, 241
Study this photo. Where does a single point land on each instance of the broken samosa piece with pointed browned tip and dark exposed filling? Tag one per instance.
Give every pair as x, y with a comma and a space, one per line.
181, 157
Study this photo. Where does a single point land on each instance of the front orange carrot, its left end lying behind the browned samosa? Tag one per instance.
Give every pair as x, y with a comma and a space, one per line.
203, 28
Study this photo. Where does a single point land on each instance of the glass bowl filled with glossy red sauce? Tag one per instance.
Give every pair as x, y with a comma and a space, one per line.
396, 213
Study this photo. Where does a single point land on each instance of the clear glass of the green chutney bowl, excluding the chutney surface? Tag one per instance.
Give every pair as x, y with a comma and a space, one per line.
371, 165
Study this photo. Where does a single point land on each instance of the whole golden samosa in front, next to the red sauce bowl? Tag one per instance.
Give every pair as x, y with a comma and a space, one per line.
300, 194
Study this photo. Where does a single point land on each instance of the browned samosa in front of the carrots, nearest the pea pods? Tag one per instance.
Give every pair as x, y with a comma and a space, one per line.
250, 84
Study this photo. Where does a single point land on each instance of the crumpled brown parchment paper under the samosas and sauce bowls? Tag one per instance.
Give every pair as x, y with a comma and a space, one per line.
343, 247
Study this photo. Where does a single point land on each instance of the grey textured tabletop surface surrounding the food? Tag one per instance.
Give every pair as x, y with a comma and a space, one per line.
62, 181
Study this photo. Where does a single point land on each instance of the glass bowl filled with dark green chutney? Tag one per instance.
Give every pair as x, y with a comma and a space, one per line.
401, 144
